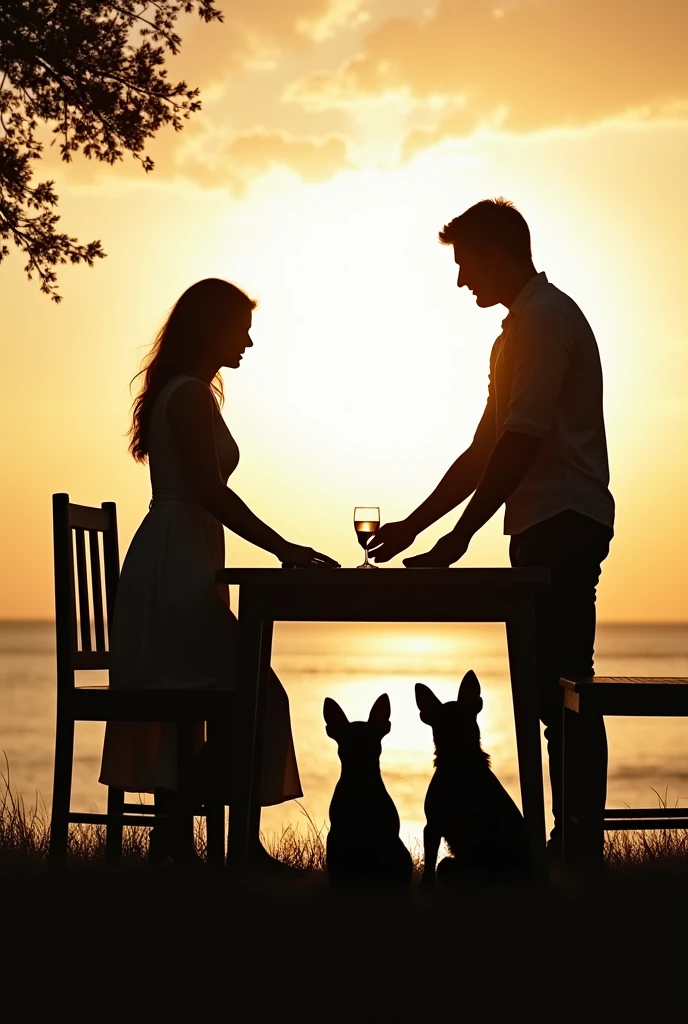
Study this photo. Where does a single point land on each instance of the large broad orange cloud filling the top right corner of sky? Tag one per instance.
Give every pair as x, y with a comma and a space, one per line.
534, 64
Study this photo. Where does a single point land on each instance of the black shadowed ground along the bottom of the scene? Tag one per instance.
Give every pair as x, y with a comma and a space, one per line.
142, 946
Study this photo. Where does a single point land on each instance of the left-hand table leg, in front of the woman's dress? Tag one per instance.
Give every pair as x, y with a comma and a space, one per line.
244, 735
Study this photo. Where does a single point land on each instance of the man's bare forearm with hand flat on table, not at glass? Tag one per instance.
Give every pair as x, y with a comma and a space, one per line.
511, 459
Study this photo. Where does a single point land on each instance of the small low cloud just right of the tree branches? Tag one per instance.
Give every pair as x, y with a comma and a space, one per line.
249, 155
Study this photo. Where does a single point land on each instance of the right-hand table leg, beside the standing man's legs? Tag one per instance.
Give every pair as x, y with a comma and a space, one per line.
524, 668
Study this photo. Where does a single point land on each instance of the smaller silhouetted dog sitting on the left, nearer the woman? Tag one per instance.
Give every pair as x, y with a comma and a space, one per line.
364, 845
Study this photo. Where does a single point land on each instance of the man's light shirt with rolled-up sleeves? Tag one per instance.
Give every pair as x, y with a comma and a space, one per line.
546, 380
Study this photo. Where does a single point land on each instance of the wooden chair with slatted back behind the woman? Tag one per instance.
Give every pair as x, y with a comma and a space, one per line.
85, 541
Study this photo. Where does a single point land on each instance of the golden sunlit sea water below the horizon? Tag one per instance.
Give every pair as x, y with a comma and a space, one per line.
355, 664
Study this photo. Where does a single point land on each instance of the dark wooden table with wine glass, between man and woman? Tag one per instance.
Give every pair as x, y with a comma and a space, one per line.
389, 595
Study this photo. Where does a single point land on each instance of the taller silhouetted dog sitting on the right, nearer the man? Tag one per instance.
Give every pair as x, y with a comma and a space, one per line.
466, 804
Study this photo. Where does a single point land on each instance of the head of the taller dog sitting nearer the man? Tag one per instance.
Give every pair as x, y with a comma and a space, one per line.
454, 724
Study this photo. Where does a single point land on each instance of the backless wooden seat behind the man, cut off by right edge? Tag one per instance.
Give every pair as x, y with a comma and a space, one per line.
653, 697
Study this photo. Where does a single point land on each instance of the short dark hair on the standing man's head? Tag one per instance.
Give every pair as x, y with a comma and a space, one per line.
493, 222
